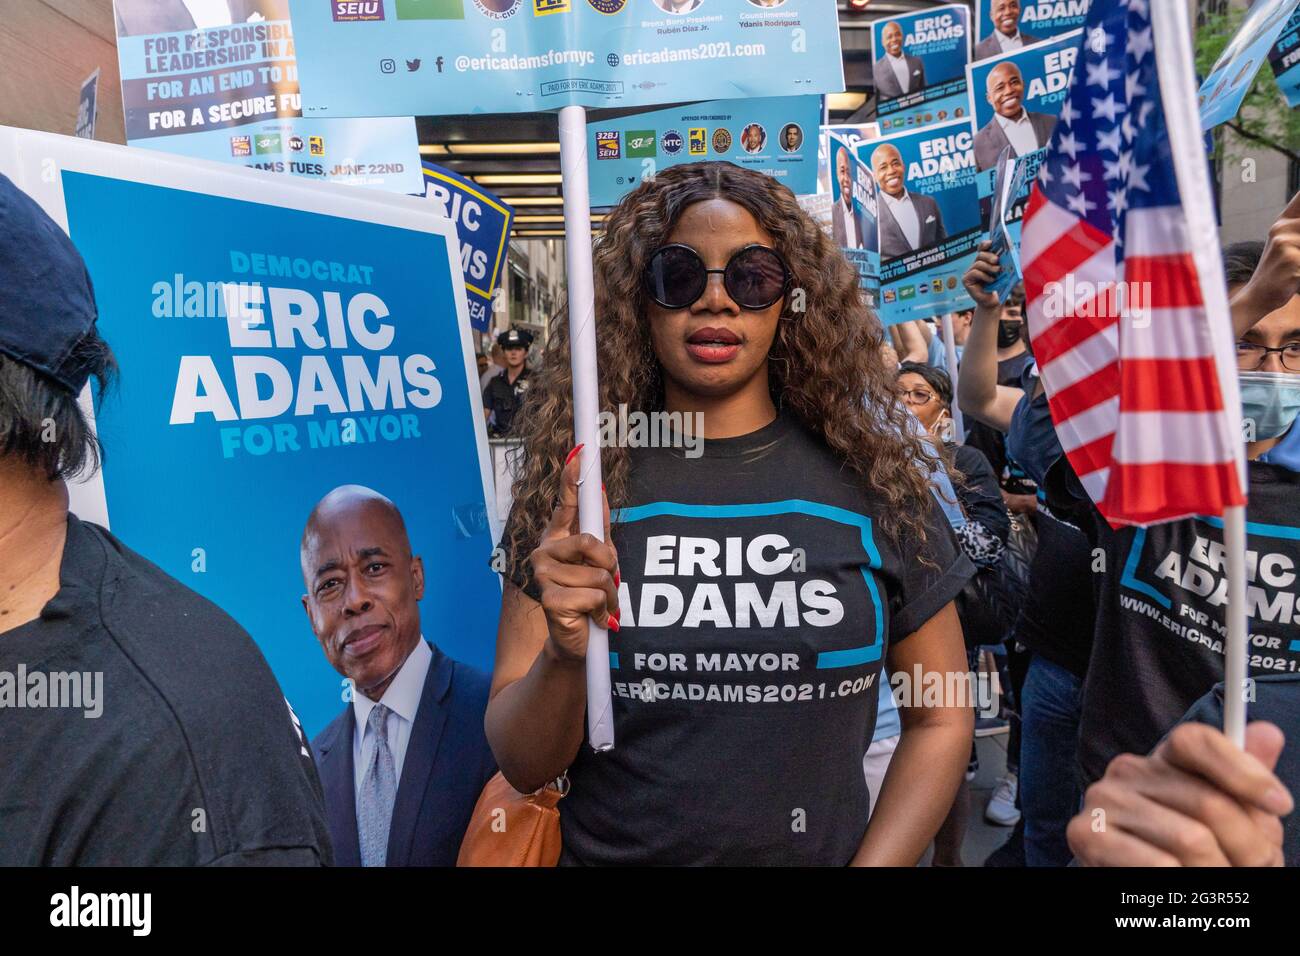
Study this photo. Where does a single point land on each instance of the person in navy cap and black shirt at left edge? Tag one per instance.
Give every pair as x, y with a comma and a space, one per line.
140, 725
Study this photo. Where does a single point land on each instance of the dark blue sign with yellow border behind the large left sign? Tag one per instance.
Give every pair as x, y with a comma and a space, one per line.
483, 226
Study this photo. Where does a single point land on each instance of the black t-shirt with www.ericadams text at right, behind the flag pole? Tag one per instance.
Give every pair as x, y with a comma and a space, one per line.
1160, 630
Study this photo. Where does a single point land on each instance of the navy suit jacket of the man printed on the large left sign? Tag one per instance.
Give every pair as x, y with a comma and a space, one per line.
448, 764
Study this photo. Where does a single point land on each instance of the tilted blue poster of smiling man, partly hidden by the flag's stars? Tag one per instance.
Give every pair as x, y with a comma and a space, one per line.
1016, 100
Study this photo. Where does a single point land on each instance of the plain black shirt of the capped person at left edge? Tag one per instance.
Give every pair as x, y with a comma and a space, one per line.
171, 743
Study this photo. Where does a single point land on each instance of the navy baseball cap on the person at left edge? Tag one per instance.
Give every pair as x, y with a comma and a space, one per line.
47, 304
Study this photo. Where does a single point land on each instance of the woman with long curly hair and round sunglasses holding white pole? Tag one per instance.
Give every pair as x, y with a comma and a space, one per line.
753, 587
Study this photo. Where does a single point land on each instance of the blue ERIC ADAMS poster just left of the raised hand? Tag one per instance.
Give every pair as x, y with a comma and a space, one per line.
929, 219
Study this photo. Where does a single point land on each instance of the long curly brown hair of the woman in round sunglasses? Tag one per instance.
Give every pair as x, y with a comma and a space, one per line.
825, 367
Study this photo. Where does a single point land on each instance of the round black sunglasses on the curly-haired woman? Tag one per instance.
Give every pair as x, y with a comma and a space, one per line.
756, 276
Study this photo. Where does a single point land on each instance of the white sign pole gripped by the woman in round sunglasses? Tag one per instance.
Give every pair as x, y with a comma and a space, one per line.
587, 399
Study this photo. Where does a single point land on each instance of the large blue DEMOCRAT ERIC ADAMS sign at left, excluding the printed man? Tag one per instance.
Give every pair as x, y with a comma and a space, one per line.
280, 349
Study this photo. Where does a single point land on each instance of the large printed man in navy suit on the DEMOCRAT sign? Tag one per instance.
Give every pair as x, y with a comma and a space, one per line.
405, 763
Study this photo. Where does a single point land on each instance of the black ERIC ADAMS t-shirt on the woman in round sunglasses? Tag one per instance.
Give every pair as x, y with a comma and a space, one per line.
759, 600
